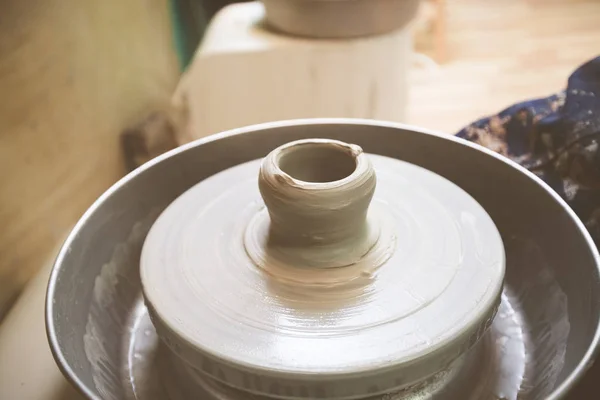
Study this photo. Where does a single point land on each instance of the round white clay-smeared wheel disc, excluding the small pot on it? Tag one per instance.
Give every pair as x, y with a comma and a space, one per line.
428, 303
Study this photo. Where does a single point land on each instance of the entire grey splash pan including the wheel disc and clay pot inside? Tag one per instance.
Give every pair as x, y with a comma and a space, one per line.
377, 262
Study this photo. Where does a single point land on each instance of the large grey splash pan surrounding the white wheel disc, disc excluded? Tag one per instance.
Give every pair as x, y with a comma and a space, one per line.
552, 271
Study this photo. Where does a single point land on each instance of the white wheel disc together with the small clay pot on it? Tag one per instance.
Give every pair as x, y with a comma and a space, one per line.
340, 288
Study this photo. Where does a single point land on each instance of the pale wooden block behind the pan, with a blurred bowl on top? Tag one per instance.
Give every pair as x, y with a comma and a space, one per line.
245, 74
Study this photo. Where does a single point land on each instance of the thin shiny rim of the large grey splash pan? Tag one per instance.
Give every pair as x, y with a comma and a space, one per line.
559, 392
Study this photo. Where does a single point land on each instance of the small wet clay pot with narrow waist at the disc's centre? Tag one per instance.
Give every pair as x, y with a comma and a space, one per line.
318, 192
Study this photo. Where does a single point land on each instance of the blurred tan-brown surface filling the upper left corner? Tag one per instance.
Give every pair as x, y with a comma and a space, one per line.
73, 75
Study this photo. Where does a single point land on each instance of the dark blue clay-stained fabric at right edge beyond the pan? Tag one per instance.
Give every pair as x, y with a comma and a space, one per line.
557, 138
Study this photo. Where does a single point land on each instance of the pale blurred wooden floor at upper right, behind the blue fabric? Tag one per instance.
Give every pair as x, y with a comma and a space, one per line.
499, 53
